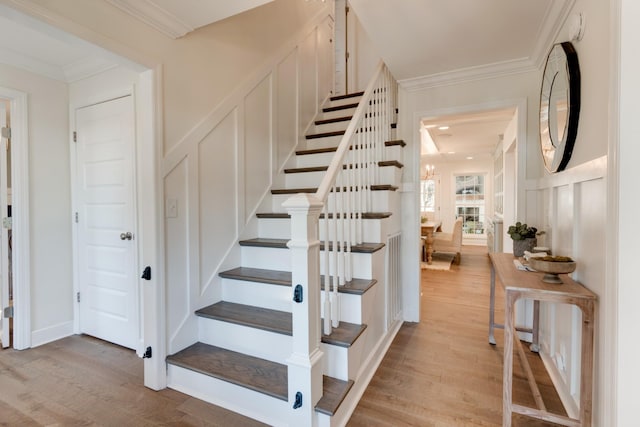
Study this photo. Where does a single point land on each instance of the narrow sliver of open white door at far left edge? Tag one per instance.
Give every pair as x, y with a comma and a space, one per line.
5, 333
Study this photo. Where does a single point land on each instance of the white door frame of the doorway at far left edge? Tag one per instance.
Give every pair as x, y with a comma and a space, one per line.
20, 217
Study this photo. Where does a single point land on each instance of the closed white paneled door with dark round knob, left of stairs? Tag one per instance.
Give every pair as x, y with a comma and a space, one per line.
107, 262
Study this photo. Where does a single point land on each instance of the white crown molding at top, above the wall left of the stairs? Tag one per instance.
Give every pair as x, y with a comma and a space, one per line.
158, 18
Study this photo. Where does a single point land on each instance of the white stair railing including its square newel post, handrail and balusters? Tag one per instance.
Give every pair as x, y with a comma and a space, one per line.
344, 197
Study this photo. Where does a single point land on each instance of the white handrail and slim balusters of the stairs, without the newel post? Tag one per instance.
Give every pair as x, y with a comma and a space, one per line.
346, 189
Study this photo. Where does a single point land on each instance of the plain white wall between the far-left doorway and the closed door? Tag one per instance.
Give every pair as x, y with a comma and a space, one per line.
50, 212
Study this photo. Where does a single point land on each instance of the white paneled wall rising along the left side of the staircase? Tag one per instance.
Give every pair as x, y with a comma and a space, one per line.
217, 176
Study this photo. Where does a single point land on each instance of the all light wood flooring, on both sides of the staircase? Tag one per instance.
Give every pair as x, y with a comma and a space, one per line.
440, 372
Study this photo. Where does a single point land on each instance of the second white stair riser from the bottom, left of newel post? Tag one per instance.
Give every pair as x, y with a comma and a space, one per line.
244, 339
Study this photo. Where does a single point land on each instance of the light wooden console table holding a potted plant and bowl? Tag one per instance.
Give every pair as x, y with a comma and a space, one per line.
523, 284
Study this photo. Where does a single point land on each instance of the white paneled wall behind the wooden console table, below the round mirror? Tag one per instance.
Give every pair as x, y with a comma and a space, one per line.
571, 208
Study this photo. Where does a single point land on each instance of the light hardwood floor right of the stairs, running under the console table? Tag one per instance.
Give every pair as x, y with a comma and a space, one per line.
442, 371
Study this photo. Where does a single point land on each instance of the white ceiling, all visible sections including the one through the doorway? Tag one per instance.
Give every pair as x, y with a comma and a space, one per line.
424, 43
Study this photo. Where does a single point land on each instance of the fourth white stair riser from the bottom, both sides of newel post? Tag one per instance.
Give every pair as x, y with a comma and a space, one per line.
280, 259
